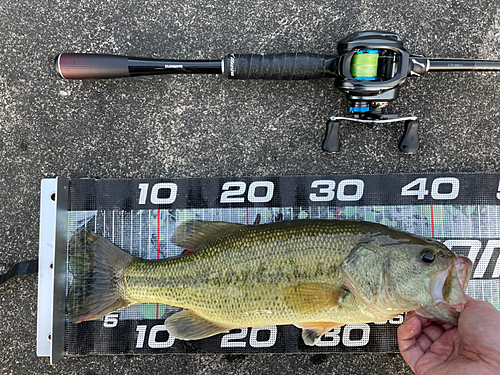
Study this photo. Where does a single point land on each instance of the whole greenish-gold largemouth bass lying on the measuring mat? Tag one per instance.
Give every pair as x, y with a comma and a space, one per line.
315, 274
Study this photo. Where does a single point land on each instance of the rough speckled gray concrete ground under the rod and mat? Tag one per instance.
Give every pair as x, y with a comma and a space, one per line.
204, 126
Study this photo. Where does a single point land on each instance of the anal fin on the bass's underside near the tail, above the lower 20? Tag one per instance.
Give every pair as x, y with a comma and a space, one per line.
187, 325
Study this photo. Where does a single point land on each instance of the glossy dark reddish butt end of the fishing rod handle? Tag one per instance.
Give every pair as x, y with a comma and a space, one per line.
91, 66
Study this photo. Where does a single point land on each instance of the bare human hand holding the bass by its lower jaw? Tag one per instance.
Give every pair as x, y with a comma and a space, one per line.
472, 347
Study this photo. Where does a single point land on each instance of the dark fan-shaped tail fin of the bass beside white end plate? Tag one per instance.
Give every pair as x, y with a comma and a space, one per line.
98, 285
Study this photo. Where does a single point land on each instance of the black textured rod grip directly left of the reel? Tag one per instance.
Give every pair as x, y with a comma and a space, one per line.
280, 66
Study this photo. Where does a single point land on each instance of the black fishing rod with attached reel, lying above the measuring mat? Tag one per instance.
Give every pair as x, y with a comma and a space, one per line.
369, 67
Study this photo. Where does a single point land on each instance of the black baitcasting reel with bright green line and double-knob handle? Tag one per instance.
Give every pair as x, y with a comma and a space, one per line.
369, 69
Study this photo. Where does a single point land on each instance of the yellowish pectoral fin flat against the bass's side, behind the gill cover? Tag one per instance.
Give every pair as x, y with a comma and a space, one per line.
313, 297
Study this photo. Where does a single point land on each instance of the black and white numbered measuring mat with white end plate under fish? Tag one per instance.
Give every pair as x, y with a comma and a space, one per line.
461, 210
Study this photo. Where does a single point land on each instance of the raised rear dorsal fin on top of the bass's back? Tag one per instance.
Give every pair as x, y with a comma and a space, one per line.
190, 234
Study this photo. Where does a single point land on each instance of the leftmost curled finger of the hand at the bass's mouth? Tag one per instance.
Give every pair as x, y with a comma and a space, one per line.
408, 333
